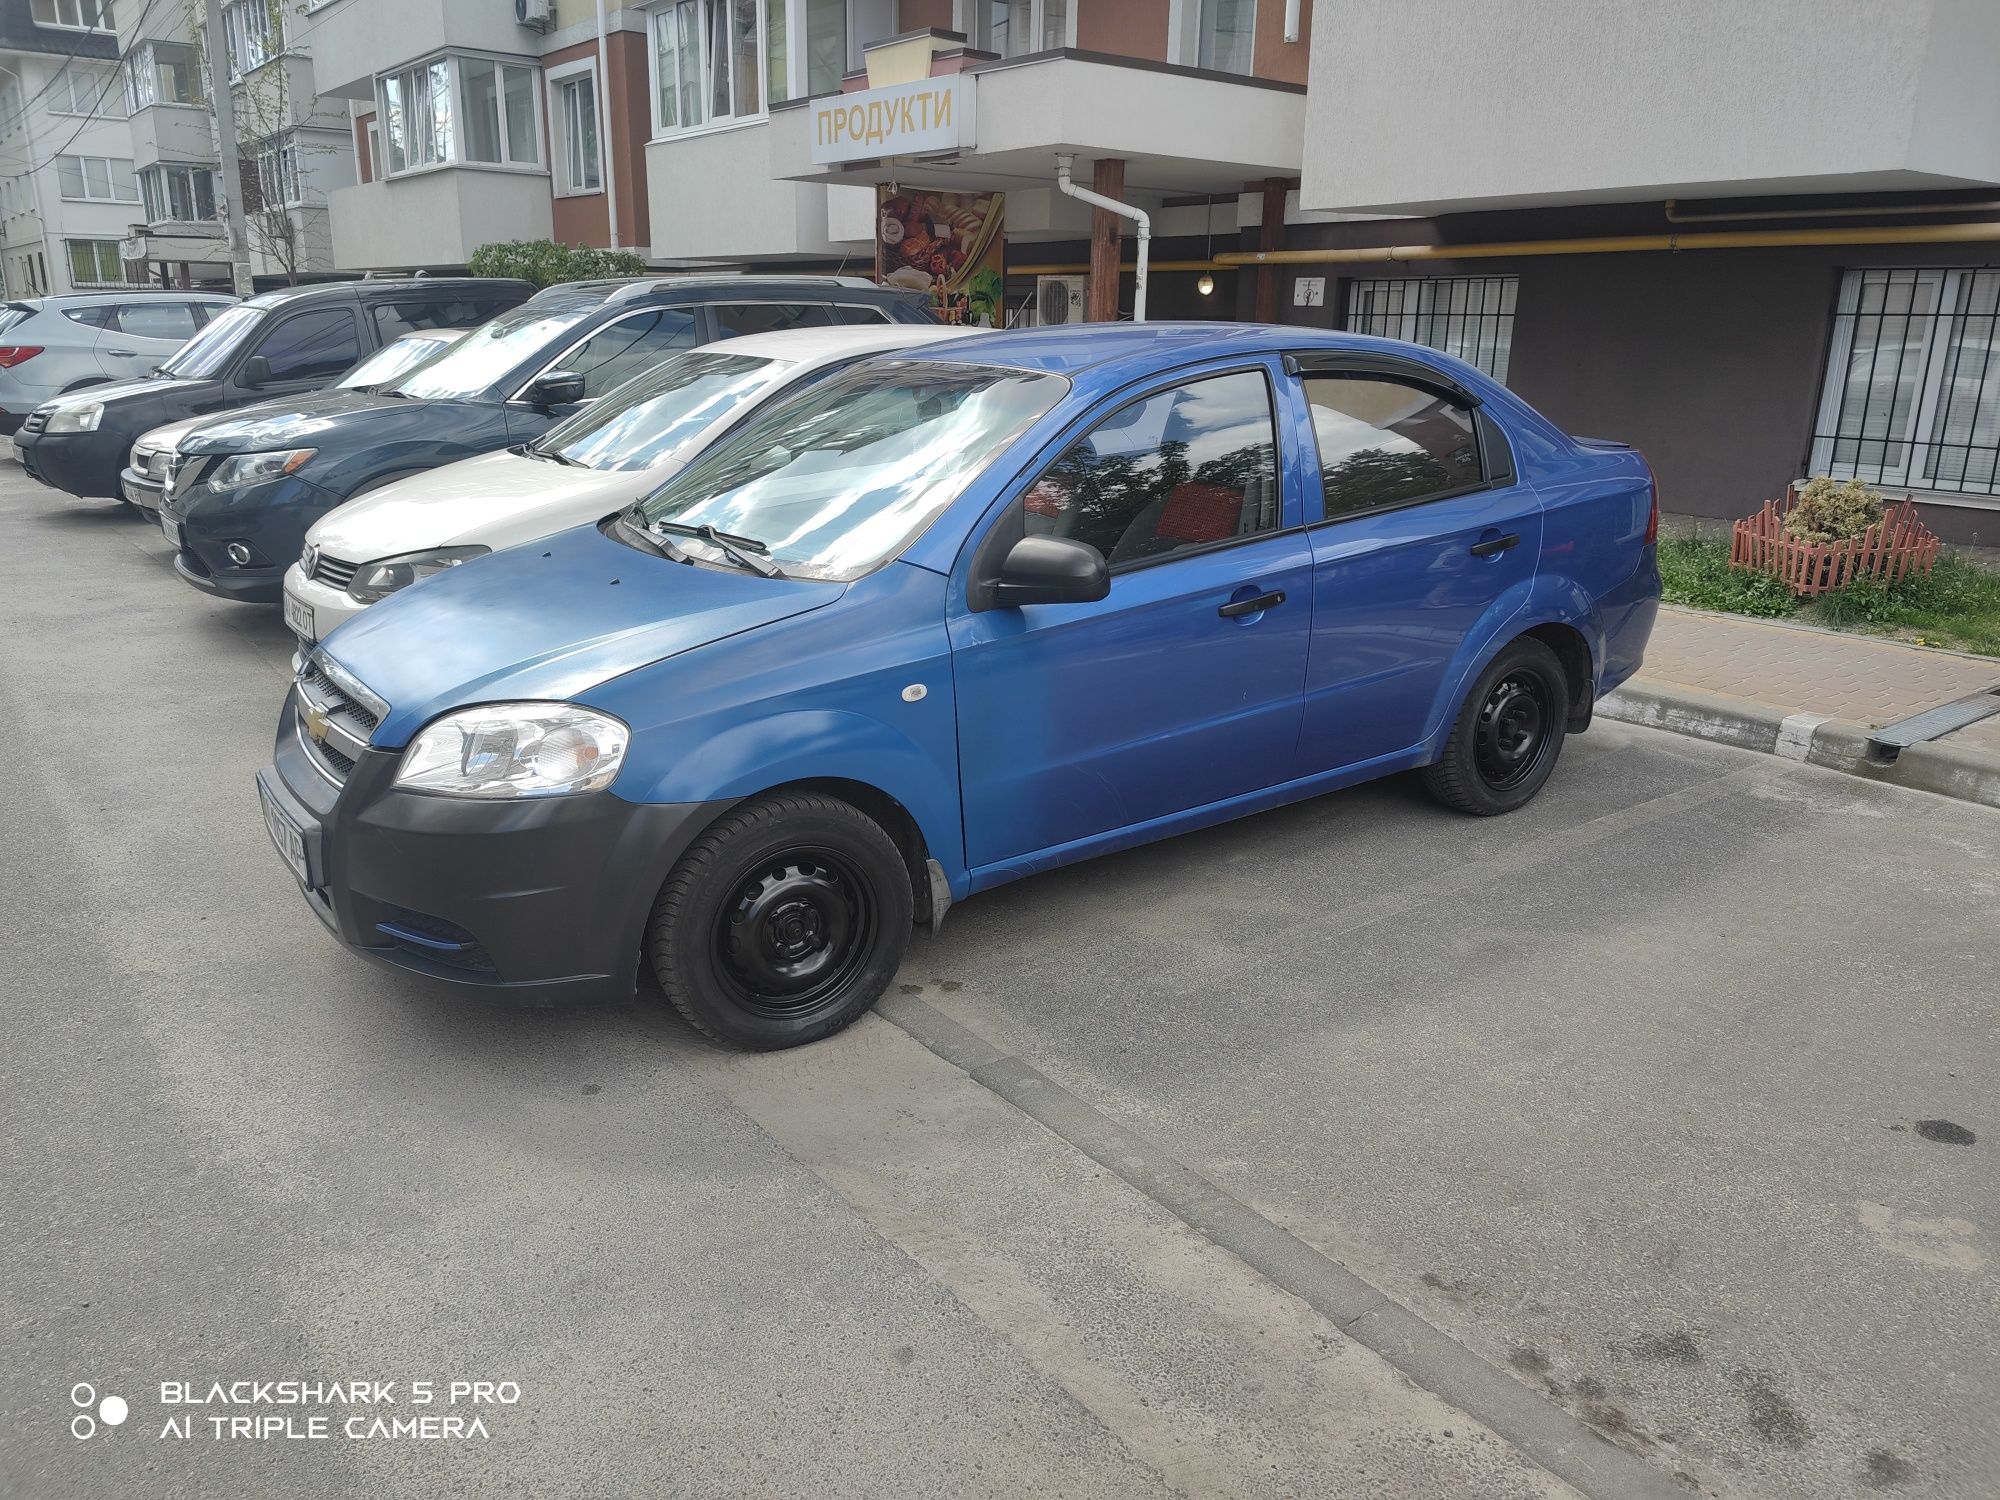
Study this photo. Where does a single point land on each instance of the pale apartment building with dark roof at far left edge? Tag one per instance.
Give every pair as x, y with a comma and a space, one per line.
67, 179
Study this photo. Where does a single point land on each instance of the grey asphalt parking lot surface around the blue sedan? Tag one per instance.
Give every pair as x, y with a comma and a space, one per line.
1355, 1149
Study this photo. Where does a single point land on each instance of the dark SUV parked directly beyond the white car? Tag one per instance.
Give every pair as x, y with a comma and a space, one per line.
247, 491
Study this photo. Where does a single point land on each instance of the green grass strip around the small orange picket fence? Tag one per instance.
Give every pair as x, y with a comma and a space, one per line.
1955, 607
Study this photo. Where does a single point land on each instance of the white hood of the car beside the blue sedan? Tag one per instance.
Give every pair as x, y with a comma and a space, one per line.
489, 501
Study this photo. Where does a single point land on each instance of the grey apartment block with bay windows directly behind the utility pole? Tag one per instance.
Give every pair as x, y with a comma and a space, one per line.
295, 147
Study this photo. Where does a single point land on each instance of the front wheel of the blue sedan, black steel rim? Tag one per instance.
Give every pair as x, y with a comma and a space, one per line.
783, 923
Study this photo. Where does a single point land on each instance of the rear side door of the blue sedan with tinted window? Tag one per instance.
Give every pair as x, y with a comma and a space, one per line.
1423, 529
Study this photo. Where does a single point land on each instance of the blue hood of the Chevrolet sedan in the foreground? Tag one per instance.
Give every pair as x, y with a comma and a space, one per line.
547, 623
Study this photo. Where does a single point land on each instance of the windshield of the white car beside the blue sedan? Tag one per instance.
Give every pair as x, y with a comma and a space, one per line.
645, 421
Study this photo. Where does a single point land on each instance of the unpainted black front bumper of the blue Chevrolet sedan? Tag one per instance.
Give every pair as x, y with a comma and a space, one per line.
545, 897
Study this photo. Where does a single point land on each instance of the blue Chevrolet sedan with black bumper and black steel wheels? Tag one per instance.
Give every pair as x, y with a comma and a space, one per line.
943, 621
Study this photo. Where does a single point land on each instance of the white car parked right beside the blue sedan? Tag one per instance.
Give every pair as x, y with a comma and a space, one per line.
587, 467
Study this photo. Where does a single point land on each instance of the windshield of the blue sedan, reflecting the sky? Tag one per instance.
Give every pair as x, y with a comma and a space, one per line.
843, 475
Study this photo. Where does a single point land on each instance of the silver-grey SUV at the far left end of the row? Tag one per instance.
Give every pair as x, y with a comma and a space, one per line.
55, 345
